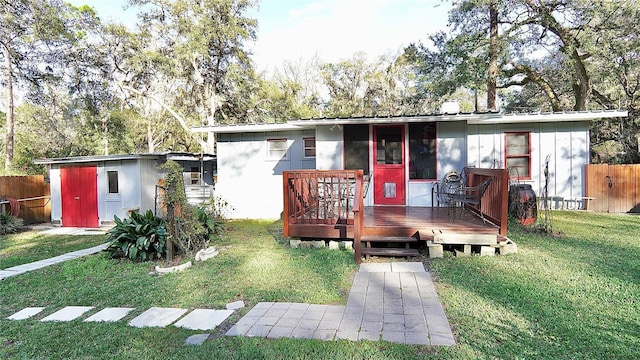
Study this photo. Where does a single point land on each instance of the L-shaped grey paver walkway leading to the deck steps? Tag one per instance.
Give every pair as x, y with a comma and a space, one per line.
396, 302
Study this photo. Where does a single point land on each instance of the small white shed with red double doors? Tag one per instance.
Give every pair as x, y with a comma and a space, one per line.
88, 191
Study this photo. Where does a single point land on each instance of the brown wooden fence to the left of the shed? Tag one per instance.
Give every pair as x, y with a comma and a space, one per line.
31, 194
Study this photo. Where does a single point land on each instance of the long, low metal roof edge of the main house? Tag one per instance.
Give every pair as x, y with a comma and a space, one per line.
470, 118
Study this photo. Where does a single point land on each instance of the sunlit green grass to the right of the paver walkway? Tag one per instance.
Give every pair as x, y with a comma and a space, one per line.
573, 296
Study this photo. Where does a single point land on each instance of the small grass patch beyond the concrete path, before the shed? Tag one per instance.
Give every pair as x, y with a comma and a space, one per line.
30, 246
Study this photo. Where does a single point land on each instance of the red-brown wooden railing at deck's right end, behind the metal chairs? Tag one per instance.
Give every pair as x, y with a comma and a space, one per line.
496, 198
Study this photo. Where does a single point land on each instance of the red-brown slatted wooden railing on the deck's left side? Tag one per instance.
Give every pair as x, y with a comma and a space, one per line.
322, 198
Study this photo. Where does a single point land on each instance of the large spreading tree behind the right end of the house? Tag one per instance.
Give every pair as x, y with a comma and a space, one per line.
552, 55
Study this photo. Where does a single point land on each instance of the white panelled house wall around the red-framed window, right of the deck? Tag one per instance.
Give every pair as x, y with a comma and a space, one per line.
566, 144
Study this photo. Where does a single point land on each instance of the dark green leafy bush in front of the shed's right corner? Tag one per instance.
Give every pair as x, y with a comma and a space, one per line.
141, 236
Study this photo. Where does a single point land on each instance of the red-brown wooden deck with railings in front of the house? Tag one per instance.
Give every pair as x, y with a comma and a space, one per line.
328, 204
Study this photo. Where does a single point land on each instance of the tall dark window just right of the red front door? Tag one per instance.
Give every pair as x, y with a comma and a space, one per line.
422, 151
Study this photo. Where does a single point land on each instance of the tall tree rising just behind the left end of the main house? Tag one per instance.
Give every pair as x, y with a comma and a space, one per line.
201, 46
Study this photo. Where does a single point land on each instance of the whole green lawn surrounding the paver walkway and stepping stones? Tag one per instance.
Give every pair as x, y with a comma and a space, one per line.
571, 296
